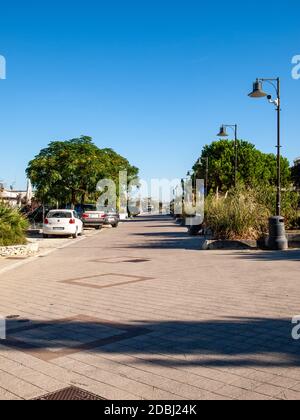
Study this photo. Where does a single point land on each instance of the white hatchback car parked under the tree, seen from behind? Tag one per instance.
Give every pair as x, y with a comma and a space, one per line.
62, 223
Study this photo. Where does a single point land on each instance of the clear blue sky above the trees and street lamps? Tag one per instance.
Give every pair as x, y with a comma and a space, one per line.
152, 79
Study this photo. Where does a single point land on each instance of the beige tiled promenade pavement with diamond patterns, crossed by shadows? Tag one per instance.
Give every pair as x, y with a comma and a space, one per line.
141, 313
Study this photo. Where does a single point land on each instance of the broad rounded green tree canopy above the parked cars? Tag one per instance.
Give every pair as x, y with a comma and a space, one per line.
68, 171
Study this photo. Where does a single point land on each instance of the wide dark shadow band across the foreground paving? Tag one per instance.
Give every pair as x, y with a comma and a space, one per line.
230, 342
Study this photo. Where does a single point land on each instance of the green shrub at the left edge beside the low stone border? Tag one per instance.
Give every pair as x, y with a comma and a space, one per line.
12, 226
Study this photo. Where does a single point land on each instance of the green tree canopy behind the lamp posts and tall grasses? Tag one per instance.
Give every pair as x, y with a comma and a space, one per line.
254, 167
